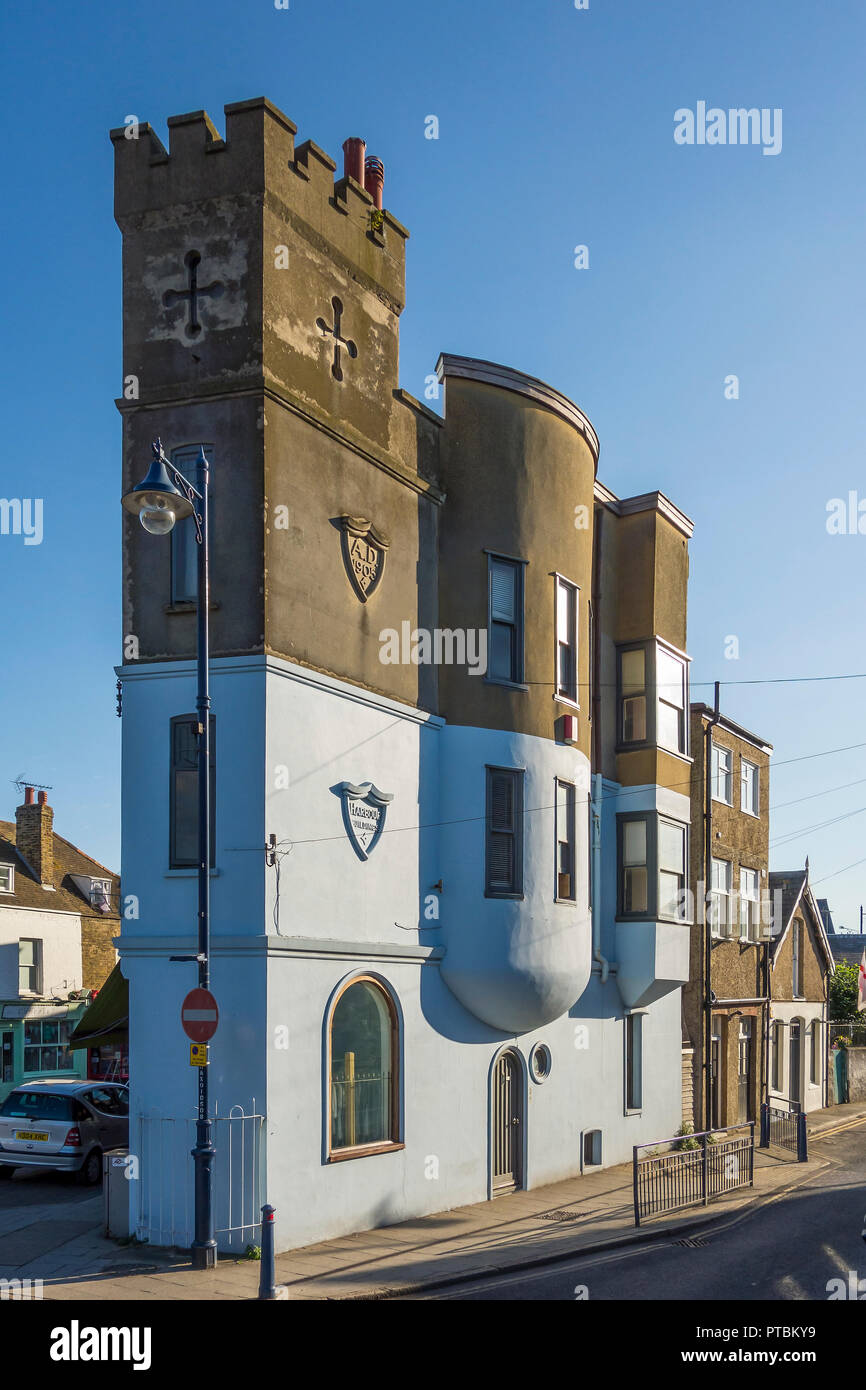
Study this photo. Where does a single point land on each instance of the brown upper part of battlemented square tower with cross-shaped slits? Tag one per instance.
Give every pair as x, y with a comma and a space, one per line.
262, 302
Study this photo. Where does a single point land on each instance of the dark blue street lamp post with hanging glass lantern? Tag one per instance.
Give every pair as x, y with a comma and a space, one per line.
163, 498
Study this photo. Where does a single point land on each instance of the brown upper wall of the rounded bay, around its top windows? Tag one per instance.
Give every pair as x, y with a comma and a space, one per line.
514, 475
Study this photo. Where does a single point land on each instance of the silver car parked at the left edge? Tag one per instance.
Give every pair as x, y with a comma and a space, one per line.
63, 1125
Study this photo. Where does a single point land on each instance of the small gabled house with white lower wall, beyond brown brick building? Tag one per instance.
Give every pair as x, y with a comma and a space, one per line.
801, 968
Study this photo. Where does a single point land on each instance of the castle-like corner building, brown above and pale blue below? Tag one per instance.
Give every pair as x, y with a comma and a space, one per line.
450, 689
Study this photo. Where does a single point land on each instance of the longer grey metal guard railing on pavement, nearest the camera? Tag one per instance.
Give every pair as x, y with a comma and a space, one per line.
671, 1177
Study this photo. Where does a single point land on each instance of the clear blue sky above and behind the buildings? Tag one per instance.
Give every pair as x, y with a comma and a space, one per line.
555, 130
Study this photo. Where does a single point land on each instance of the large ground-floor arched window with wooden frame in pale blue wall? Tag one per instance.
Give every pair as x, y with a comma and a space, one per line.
363, 1071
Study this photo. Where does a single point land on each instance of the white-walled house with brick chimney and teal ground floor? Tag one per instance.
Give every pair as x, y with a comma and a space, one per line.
59, 915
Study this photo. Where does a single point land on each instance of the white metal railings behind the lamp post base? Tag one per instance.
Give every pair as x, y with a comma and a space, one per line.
166, 1206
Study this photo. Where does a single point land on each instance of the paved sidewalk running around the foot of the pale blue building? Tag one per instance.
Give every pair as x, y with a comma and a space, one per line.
60, 1241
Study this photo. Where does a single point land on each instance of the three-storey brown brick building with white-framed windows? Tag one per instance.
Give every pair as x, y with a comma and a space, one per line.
725, 1004
